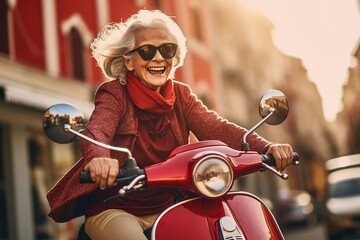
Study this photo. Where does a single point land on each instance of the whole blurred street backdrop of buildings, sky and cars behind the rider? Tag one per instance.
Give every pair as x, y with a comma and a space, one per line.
237, 51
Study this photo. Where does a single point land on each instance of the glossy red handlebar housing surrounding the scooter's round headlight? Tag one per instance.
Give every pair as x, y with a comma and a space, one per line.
177, 171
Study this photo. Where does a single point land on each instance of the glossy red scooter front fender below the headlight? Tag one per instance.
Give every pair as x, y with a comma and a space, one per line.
199, 218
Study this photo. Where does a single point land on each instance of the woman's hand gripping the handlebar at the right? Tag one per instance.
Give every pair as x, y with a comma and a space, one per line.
283, 154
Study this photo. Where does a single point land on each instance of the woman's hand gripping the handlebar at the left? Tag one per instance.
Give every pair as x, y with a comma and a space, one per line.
103, 171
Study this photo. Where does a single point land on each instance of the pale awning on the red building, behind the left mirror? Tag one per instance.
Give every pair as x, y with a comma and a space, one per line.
40, 99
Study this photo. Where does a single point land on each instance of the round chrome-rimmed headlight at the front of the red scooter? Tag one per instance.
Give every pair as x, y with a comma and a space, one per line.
213, 176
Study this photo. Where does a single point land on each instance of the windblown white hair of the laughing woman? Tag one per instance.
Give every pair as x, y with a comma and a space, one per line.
117, 39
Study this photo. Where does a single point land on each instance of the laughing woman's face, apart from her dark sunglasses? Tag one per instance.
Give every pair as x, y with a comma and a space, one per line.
152, 73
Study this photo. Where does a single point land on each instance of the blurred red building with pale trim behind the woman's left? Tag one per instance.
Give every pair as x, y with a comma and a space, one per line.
45, 59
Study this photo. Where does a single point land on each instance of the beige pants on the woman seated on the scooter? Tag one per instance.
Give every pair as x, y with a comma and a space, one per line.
118, 224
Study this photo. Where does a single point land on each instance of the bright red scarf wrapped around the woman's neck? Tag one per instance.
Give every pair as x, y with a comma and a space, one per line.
150, 100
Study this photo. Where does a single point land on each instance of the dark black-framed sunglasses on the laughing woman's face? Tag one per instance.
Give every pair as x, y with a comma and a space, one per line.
147, 52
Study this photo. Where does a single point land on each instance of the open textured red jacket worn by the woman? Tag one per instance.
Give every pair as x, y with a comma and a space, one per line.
114, 122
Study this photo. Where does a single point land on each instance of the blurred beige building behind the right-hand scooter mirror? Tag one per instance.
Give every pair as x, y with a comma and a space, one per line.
250, 64
